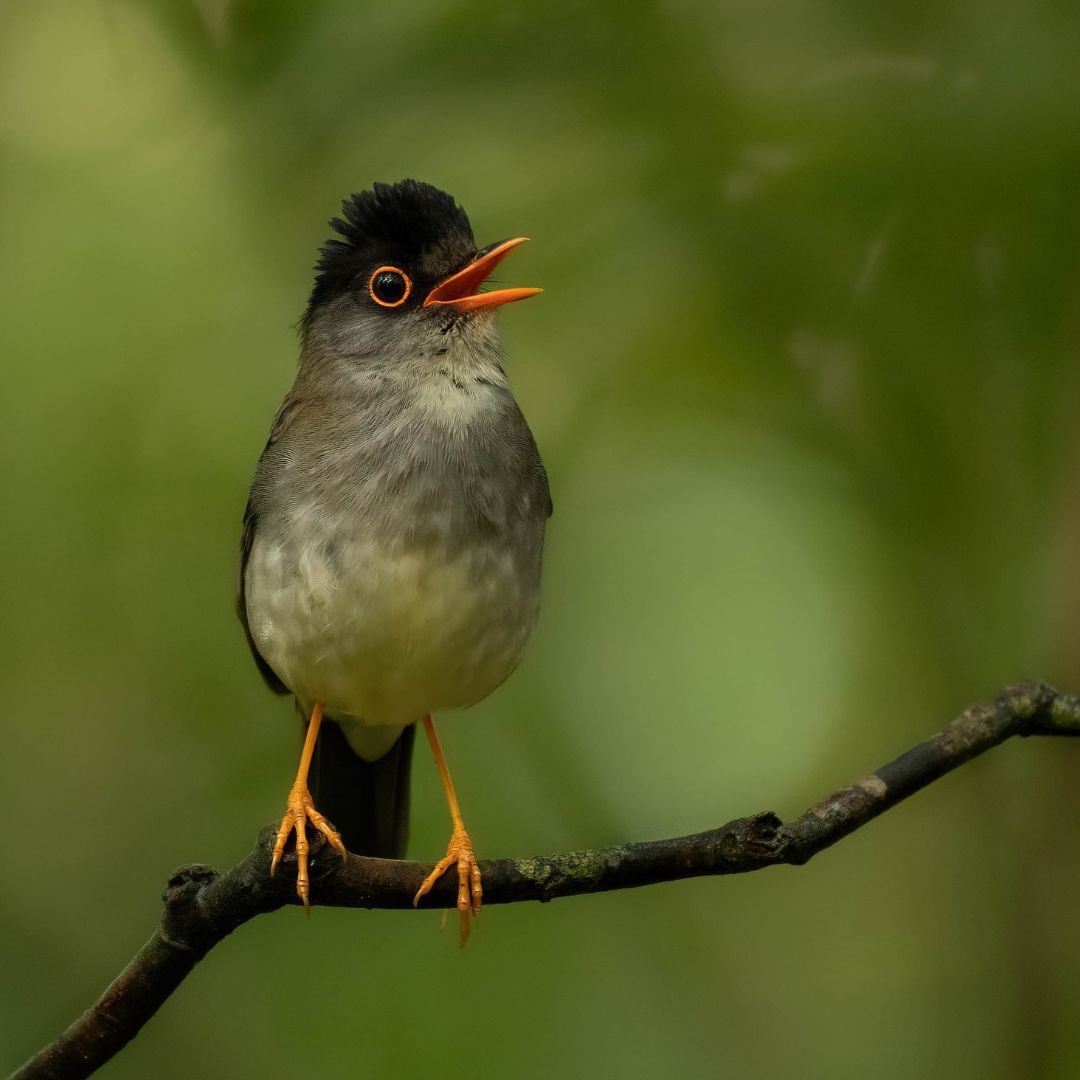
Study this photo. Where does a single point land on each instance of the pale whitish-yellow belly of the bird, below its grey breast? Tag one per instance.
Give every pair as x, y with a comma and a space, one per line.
388, 638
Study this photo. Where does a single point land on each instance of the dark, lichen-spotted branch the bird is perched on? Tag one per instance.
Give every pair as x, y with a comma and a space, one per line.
202, 907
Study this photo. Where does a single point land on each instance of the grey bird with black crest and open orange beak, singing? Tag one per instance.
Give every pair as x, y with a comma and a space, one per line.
393, 542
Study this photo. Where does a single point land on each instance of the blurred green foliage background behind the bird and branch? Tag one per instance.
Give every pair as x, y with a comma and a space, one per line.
805, 376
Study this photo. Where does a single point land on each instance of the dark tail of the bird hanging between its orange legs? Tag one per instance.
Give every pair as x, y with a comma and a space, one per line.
367, 802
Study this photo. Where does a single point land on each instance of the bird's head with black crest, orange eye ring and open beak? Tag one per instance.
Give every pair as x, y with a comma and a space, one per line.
406, 276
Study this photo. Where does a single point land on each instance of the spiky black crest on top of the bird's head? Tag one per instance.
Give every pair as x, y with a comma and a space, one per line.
410, 225
